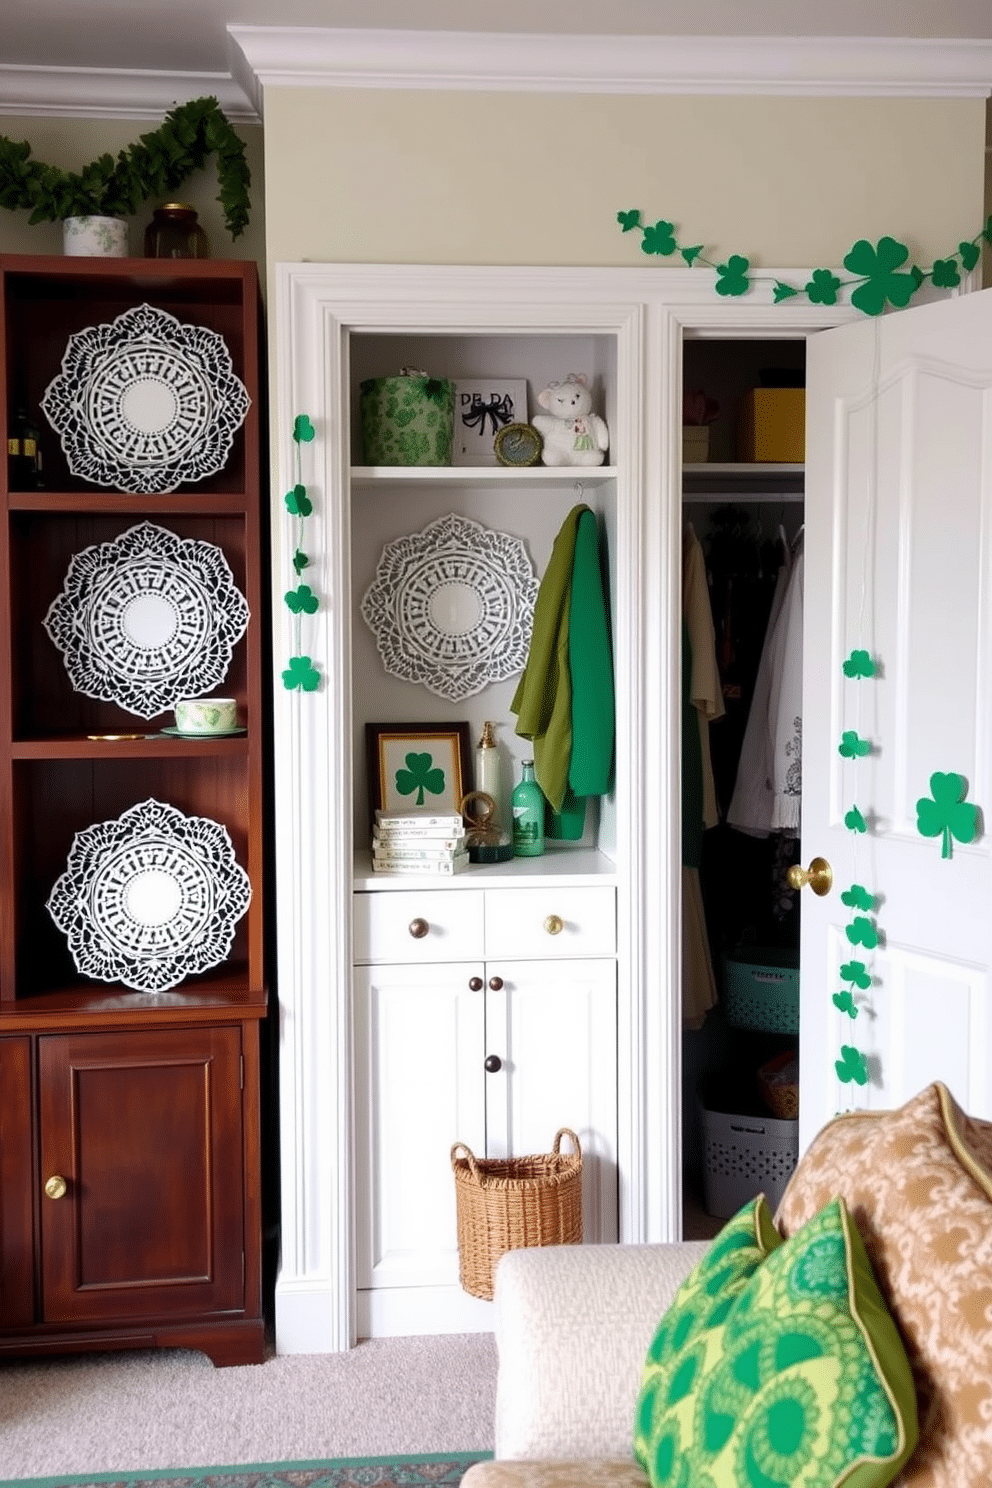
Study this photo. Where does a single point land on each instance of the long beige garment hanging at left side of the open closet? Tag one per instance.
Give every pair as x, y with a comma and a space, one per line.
703, 703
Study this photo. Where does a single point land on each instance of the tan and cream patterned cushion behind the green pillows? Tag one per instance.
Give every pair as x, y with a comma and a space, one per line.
918, 1184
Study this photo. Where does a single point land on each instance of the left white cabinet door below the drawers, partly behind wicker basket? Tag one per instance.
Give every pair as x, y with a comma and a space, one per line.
420, 1087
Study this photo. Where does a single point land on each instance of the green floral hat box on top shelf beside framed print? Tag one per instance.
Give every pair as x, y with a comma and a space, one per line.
408, 419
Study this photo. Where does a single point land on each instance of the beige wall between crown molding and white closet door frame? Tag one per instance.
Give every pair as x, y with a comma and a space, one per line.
447, 178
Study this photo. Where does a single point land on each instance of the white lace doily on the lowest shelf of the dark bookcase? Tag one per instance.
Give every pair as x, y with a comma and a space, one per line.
149, 898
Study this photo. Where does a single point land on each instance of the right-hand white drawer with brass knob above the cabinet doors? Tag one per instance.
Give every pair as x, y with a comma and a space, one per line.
551, 922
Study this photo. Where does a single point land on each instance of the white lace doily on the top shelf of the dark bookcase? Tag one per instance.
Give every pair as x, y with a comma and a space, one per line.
146, 403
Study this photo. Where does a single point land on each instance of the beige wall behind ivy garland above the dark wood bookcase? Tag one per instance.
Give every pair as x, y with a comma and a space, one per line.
74, 144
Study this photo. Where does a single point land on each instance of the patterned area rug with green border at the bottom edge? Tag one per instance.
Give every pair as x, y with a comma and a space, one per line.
444, 1471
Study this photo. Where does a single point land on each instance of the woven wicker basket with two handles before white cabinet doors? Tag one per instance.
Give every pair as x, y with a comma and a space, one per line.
509, 1203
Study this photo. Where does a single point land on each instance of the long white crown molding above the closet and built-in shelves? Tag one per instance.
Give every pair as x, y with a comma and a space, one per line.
319, 57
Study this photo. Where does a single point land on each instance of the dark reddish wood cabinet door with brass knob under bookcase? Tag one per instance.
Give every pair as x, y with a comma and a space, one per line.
146, 1132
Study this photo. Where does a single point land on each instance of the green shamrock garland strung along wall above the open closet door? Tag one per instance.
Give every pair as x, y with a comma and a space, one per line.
881, 273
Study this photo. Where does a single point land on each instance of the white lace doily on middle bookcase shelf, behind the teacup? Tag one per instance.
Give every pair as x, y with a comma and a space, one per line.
148, 620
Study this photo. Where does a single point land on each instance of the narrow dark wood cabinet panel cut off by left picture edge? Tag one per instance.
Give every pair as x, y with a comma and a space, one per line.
17, 1228
